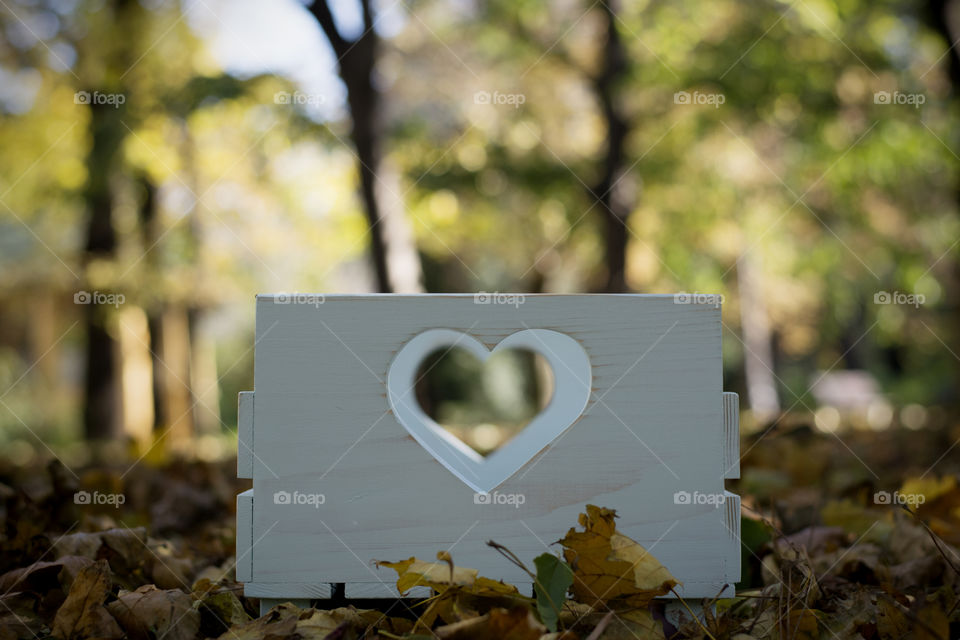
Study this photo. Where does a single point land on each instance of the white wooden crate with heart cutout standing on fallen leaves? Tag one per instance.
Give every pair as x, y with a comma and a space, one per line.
338, 481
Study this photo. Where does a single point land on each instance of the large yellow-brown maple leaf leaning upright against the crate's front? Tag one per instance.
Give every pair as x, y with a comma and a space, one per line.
608, 565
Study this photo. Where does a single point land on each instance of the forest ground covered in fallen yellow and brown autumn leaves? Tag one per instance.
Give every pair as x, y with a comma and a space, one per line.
825, 555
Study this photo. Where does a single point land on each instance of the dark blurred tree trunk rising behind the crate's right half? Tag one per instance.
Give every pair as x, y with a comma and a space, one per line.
615, 190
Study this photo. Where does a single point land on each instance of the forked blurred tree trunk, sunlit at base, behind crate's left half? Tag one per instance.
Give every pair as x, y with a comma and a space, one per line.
395, 260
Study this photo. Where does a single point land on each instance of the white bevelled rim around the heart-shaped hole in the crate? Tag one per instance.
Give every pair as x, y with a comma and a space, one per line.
572, 384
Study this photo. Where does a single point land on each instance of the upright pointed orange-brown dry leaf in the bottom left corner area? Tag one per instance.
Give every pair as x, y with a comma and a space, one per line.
82, 615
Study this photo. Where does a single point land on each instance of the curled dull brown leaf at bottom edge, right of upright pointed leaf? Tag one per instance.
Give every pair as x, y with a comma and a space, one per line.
150, 612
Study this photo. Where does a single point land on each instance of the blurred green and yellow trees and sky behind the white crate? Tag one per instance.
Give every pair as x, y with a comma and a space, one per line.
163, 162
